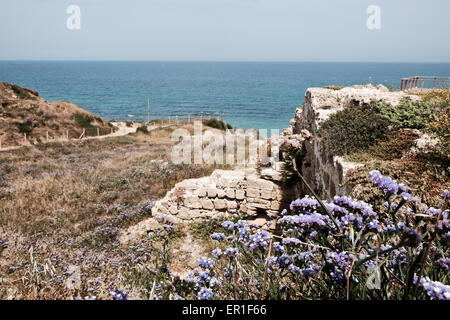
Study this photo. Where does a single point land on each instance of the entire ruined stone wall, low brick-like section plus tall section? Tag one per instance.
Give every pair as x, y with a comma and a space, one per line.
256, 192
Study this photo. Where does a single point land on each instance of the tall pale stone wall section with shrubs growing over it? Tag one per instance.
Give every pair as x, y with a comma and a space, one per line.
323, 171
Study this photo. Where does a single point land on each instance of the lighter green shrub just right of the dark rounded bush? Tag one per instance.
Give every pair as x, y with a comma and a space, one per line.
408, 114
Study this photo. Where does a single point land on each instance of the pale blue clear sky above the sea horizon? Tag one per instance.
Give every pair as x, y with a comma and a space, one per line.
226, 30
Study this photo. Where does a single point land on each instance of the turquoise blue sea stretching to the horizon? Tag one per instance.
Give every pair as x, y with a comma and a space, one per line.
248, 95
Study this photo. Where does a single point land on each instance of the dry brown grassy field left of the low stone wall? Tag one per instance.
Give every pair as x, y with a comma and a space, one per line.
64, 205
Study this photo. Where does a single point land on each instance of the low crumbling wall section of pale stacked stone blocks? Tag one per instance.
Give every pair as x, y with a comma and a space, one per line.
248, 191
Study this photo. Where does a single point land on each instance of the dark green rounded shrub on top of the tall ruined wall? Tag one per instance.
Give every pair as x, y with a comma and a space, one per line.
354, 129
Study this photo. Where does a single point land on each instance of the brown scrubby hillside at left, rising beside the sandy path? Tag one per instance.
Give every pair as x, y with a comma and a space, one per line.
23, 112
